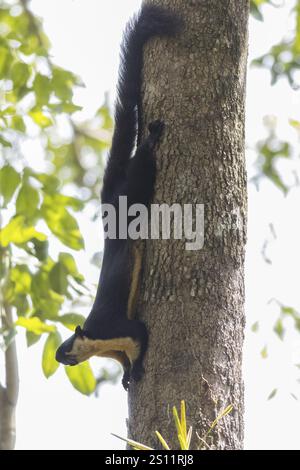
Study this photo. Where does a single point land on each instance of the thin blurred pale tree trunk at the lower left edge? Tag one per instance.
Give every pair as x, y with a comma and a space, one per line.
9, 392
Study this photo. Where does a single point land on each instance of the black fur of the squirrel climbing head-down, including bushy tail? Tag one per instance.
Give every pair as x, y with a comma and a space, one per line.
133, 176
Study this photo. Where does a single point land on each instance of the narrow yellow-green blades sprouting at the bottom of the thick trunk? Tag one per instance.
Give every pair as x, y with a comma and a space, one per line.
184, 436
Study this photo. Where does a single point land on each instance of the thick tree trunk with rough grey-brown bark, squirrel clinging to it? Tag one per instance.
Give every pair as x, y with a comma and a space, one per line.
193, 301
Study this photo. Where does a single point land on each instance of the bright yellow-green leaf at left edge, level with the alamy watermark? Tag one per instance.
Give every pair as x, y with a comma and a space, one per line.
17, 232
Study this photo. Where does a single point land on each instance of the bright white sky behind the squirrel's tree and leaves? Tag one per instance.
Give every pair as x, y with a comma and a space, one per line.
85, 36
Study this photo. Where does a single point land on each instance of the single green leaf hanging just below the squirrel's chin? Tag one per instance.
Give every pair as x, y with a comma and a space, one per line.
82, 378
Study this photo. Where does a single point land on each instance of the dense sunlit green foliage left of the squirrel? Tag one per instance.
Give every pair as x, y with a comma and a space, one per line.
43, 188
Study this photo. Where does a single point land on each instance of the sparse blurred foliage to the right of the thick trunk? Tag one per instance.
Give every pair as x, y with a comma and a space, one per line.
282, 61
